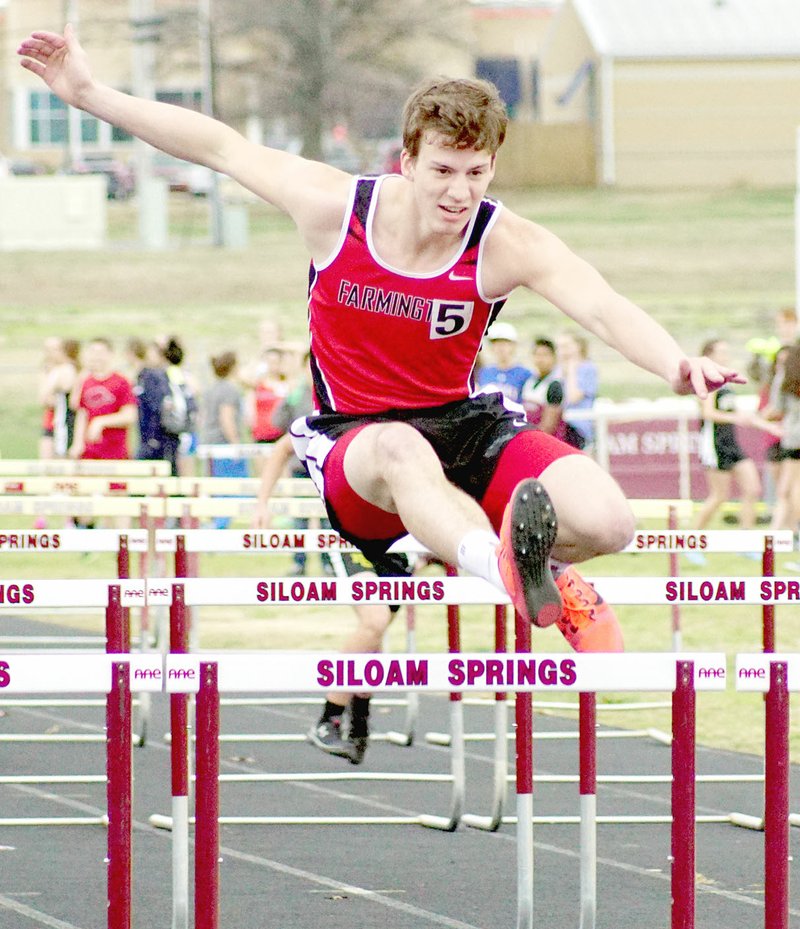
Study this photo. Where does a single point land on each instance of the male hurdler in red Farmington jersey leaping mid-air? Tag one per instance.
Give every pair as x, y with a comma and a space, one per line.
408, 271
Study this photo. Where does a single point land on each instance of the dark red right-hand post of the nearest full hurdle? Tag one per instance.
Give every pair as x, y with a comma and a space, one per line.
683, 797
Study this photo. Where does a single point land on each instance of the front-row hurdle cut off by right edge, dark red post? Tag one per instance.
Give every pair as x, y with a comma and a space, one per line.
775, 676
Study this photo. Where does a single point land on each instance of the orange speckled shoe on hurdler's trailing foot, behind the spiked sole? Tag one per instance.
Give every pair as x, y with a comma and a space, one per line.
587, 622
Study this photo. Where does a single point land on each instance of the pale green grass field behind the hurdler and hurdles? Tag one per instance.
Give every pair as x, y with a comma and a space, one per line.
703, 263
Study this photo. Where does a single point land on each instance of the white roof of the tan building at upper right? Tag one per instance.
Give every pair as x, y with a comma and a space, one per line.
692, 28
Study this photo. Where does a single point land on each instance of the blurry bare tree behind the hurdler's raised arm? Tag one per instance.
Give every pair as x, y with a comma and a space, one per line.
316, 63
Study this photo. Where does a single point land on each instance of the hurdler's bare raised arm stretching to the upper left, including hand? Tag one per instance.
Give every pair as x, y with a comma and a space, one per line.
313, 194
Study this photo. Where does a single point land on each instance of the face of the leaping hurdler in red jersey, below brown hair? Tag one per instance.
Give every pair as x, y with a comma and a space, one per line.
449, 183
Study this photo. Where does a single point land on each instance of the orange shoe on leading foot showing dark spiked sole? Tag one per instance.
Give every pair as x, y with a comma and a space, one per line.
527, 534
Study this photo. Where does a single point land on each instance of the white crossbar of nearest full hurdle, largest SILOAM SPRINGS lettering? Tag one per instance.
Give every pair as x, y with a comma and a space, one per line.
444, 673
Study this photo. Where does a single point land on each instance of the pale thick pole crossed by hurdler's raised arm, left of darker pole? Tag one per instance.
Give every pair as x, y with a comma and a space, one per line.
150, 192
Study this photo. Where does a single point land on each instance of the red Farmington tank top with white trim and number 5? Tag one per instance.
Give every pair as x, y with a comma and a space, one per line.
385, 339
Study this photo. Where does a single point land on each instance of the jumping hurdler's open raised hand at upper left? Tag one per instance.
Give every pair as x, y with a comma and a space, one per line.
59, 61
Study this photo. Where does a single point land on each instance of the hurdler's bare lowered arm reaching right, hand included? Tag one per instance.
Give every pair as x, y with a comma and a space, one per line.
525, 254
